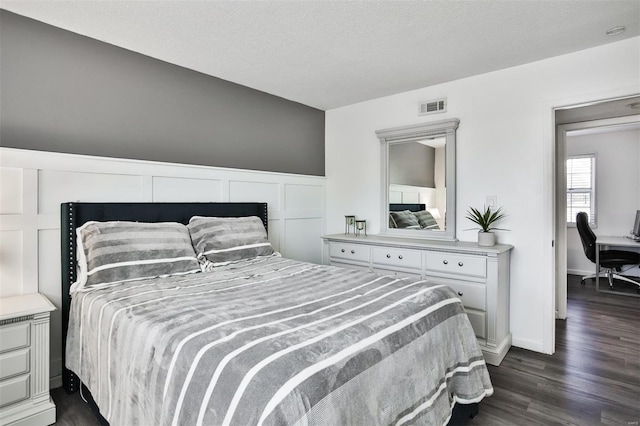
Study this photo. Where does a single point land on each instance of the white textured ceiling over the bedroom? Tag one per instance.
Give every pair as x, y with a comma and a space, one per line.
336, 53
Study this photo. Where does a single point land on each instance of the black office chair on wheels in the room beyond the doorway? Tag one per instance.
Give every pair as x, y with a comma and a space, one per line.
611, 260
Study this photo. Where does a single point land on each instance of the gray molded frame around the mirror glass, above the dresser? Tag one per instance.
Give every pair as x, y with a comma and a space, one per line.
412, 133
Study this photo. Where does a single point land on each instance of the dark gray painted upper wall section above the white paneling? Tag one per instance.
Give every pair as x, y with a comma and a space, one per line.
63, 92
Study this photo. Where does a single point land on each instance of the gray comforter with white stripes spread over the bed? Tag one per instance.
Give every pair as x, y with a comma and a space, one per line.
275, 341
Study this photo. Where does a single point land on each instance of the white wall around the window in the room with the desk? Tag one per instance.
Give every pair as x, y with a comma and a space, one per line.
617, 189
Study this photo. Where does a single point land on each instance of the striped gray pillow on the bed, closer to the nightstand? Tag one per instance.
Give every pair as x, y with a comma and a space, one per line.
115, 252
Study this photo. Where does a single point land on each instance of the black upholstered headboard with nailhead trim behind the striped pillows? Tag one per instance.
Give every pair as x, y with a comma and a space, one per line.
74, 215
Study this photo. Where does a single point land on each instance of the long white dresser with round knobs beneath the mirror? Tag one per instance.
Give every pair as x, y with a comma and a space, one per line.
480, 276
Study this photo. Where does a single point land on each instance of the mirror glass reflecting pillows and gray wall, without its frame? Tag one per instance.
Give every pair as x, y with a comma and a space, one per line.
417, 184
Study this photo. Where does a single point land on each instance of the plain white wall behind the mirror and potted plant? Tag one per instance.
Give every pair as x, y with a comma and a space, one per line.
505, 148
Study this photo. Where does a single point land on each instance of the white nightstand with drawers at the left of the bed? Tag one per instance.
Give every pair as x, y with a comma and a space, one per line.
24, 361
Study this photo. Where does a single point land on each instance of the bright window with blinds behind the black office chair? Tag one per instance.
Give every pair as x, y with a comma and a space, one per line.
581, 188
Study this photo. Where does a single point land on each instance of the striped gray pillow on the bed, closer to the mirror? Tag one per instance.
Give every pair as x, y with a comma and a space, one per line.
222, 240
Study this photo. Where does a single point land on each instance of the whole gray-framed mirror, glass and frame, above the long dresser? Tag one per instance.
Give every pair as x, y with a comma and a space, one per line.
418, 175
